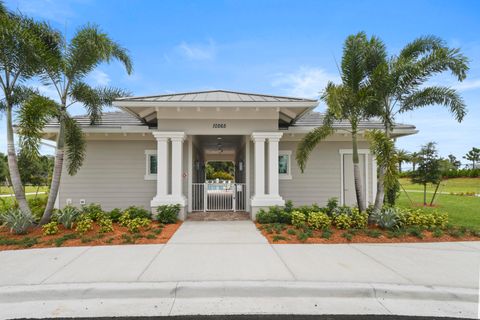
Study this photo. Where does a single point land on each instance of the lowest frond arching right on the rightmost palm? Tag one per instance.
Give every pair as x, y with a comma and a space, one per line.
443, 96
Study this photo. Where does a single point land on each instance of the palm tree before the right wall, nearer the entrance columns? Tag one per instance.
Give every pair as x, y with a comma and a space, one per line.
350, 100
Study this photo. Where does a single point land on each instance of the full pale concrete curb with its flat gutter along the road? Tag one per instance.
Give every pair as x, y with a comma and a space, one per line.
233, 297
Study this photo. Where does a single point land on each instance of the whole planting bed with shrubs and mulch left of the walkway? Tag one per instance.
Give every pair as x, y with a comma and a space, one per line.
88, 225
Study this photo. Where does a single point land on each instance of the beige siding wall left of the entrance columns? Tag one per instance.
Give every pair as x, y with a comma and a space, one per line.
112, 175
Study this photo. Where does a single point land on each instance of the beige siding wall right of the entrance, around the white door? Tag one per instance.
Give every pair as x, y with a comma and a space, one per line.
322, 177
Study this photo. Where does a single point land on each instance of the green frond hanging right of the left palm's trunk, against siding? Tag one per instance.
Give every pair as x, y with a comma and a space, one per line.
75, 146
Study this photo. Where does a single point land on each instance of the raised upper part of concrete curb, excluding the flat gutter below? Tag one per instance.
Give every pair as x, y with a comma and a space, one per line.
233, 289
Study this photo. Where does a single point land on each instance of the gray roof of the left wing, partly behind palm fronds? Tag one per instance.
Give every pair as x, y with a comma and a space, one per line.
114, 119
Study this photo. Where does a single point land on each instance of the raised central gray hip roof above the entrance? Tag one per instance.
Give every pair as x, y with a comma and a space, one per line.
215, 96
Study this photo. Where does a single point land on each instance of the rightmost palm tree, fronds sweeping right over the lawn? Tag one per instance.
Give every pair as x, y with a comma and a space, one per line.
399, 83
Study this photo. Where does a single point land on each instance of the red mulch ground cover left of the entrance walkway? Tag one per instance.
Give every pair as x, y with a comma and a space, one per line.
157, 233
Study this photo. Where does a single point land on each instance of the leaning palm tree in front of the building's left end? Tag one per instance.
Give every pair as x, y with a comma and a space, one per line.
66, 72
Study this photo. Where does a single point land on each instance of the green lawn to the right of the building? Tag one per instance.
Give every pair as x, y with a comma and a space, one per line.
462, 210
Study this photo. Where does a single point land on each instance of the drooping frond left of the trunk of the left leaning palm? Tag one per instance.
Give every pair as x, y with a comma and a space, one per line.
32, 117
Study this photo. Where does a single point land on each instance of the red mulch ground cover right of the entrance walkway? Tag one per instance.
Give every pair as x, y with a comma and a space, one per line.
359, 237
